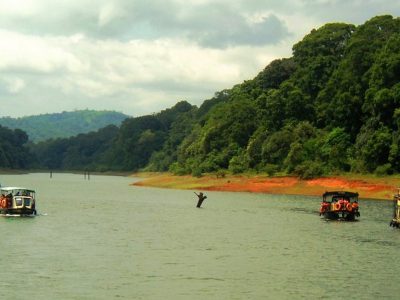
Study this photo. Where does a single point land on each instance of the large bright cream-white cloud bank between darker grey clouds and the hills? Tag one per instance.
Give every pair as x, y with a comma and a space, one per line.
118, 75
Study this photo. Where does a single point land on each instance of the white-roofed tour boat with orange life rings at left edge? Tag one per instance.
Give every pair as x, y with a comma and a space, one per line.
17, 201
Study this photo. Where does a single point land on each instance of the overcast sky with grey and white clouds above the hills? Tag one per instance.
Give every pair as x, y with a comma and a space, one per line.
141, 56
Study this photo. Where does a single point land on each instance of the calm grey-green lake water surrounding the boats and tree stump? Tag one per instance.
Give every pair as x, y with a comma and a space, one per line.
104, 239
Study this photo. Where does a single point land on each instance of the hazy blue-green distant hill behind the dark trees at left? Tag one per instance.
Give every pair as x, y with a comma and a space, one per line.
63, 125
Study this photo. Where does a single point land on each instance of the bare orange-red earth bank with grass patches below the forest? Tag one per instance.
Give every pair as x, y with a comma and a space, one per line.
368, 186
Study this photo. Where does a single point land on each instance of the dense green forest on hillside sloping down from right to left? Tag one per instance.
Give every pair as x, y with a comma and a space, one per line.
334, 106
